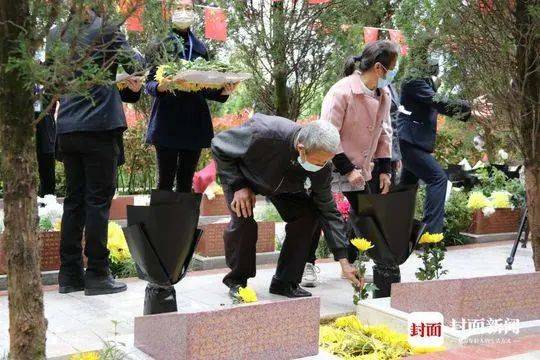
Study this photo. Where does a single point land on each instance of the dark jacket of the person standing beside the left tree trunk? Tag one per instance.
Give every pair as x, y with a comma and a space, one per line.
102, 110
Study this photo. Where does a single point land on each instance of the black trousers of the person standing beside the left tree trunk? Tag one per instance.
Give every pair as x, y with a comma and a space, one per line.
90, 162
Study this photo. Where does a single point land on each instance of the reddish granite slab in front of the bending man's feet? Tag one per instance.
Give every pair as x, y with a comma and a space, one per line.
277, 330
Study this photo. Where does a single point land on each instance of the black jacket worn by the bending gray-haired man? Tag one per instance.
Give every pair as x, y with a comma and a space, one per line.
261, 155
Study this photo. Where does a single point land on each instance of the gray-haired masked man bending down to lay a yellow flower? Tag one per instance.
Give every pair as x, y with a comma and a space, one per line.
290, 164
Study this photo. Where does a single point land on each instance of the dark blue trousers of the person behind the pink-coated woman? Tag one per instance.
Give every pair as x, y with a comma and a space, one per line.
420, 164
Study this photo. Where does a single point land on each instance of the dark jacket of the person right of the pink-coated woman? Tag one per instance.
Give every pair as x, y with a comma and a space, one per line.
420, 128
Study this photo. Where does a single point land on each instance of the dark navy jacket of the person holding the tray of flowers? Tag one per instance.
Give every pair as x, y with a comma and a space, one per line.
180, 120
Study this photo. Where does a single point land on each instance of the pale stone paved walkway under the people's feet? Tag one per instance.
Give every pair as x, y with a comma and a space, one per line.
79, 323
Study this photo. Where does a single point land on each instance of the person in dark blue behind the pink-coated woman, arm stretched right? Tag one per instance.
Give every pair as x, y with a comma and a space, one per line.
417, 127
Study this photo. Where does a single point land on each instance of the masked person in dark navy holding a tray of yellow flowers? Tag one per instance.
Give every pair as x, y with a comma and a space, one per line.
180, 124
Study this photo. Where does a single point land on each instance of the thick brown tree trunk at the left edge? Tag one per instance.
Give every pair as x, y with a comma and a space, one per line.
27, 324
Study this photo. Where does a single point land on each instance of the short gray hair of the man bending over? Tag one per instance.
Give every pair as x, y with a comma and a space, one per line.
319, 136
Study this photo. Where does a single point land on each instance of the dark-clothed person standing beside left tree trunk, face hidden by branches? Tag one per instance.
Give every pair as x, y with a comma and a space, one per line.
89, 128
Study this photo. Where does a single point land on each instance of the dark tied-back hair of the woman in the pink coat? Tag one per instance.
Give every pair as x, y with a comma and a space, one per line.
382, 51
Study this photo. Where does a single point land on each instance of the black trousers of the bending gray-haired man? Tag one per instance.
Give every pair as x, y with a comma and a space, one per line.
240, 237
